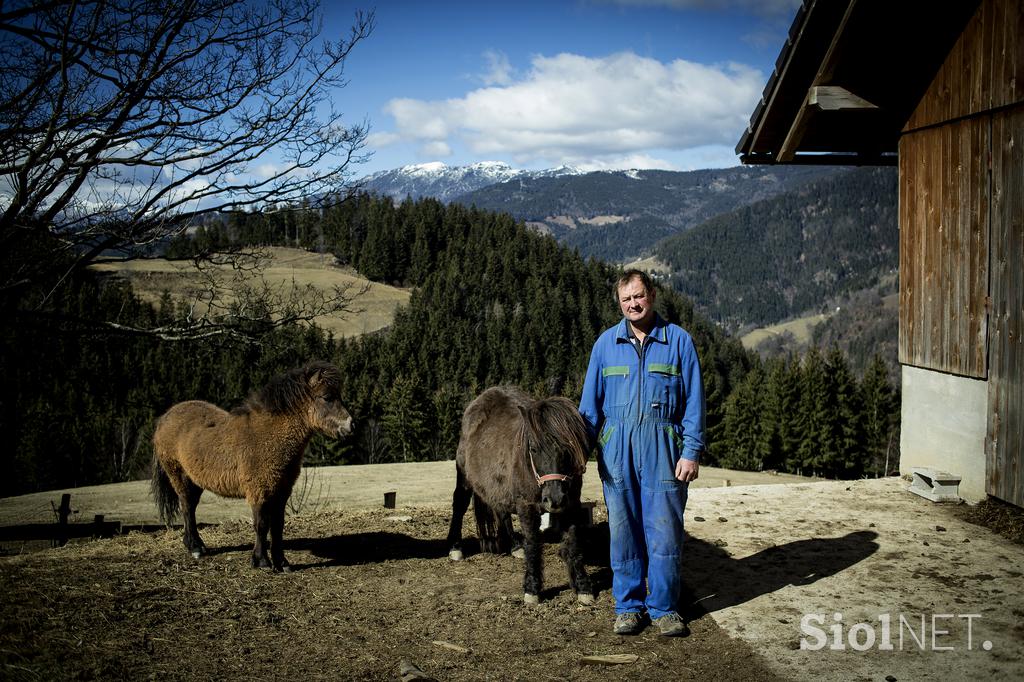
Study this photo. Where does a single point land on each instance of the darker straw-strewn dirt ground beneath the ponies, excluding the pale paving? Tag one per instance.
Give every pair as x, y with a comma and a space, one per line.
371, 589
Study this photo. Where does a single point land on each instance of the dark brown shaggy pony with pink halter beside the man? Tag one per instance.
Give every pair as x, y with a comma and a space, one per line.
528, 457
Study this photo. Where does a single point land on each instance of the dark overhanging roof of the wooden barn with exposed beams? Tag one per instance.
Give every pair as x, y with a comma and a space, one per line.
848, 78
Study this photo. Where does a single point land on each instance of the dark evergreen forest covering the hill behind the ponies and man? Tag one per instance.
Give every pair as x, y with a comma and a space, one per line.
492, 303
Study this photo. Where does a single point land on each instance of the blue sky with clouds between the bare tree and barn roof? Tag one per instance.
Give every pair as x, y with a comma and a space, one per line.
600, 84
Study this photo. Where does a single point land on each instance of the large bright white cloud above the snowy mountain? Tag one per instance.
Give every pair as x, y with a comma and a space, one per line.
583, 111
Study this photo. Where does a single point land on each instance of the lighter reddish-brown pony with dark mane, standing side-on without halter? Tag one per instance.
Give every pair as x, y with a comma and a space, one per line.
254, 452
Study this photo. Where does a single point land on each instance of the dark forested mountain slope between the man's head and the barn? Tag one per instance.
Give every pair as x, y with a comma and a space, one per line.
791, 254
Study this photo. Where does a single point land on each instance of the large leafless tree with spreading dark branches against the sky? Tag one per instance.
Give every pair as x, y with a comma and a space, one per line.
124, 122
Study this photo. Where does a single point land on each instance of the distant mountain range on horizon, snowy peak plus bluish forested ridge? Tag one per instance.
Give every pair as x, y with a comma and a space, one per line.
615, 216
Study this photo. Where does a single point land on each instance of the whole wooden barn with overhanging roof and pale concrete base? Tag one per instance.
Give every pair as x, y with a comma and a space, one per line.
937, 90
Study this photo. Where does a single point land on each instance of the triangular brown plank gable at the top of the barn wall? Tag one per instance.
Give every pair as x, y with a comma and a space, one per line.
985, 71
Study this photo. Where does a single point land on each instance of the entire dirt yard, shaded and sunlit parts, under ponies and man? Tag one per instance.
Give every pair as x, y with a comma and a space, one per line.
373, 588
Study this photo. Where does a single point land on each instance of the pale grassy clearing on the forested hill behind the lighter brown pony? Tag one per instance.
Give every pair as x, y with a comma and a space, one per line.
286, 269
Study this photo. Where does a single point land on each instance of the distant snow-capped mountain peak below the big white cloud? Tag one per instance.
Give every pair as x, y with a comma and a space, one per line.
447, 183
